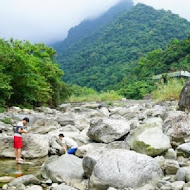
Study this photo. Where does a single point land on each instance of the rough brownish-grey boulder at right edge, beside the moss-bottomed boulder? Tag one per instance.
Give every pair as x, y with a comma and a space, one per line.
176, 126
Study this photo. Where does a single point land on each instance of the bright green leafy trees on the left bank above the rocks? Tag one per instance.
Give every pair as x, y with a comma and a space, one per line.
29, 75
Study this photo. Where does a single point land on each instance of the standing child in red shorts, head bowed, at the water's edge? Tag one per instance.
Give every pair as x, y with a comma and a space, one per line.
18, 138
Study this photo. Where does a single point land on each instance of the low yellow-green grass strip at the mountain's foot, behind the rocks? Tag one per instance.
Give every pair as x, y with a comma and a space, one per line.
105, 96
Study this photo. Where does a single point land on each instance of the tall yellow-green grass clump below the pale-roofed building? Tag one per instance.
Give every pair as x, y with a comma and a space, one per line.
169, 91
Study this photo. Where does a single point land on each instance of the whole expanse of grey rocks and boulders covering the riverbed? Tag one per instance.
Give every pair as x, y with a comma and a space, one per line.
130, 145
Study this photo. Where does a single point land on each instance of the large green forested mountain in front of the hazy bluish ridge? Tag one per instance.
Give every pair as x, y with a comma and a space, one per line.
102, 59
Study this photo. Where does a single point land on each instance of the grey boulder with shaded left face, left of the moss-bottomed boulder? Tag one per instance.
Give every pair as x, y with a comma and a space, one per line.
108, 129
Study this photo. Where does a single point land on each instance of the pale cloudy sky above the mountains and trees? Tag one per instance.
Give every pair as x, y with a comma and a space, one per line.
50, 20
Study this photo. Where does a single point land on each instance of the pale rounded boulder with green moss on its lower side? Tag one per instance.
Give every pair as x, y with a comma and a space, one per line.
149, 140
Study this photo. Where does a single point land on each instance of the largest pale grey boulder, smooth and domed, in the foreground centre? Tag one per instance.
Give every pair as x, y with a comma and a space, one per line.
123, 168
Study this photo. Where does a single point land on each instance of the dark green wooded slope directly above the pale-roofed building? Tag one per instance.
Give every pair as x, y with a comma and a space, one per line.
175, 57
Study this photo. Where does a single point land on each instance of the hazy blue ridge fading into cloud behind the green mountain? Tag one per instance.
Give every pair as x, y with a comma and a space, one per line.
88, 26
